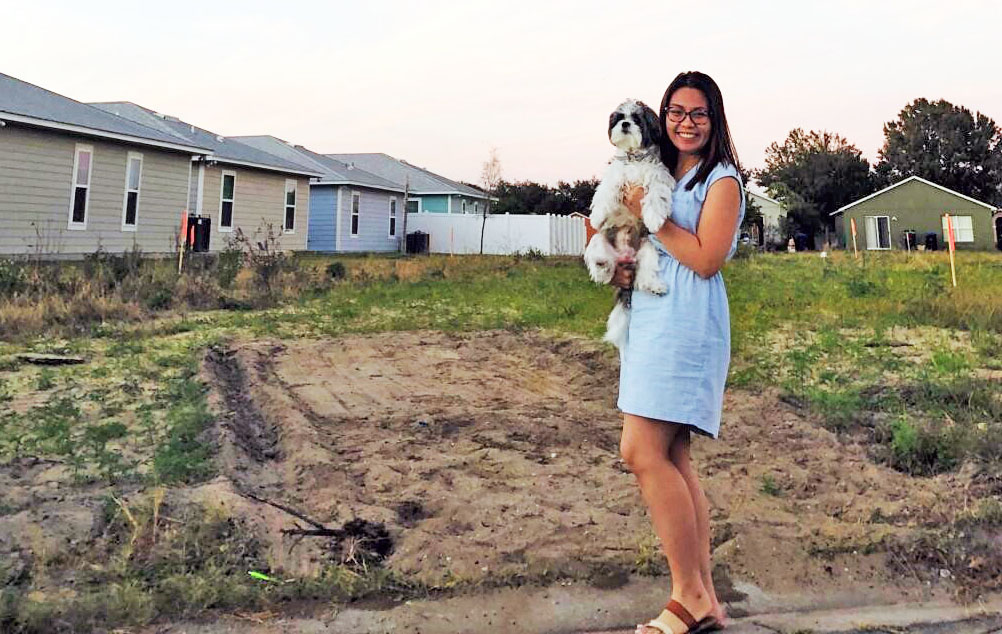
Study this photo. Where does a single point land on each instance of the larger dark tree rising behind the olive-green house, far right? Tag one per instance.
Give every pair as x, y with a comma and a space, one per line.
946, 145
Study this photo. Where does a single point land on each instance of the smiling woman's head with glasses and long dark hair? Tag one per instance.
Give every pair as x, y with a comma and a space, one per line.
693, 118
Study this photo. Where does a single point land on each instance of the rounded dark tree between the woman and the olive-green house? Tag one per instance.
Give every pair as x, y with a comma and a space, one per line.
813, 175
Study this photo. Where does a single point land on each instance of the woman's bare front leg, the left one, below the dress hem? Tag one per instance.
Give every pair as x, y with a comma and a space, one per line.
646, 448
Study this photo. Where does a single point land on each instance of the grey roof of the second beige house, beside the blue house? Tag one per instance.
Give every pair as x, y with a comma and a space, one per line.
222, 150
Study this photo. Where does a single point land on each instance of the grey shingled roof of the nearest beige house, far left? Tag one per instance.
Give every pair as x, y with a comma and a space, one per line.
24, 103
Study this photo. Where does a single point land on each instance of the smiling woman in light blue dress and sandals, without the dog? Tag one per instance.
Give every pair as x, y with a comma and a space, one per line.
676, 360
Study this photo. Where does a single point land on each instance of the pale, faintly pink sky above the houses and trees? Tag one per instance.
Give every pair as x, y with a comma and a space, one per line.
442, 85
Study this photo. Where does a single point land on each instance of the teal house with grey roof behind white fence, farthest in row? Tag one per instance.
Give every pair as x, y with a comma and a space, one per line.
428, 193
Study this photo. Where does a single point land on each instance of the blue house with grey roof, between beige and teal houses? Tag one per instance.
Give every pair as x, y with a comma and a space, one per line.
351, 210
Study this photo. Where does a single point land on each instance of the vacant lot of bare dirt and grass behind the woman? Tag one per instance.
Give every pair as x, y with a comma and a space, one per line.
440, 425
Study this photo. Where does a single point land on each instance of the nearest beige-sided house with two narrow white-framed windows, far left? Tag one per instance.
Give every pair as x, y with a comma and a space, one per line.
75, 178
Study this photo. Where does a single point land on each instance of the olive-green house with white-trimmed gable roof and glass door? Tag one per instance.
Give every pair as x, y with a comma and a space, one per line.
916, 205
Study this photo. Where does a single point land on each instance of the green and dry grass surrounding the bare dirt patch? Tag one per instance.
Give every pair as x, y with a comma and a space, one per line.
881, 349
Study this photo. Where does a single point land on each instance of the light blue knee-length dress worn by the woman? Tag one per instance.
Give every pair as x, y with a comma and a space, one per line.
676, 360
